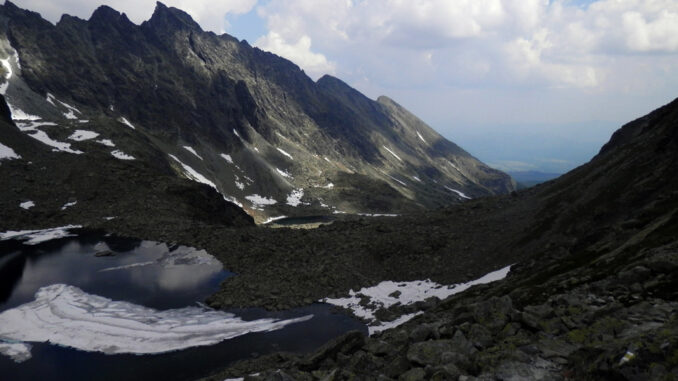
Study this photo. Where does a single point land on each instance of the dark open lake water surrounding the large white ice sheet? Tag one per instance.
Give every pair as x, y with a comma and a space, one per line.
147, 274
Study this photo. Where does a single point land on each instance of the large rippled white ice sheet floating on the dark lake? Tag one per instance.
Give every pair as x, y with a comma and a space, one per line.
66, 315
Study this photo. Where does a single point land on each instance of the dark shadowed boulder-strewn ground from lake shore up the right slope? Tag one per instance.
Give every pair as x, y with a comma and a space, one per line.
591, 294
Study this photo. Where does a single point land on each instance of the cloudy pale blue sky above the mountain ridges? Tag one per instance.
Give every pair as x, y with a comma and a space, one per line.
520, 84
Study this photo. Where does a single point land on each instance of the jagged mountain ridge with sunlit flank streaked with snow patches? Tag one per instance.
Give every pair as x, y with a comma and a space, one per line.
247, 122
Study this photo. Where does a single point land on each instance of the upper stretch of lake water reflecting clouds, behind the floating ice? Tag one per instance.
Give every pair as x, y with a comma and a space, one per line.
165, 282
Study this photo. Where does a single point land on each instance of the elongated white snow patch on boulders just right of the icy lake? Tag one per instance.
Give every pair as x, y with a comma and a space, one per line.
383, 295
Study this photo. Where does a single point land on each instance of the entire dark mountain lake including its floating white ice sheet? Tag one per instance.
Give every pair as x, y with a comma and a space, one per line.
72, 315
